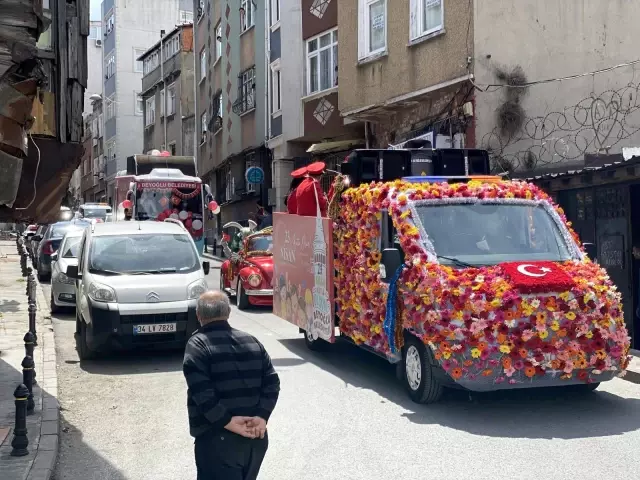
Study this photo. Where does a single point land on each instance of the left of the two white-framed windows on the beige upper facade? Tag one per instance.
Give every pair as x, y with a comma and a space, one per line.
372, 27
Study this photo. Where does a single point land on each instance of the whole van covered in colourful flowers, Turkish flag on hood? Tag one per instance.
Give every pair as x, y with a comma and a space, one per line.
476, 283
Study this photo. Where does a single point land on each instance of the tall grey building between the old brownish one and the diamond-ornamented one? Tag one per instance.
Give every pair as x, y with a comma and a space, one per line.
231, 103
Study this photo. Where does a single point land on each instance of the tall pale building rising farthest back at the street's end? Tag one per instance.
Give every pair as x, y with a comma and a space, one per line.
129, 29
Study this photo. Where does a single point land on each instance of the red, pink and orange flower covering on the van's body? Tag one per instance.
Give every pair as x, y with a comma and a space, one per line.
489, 323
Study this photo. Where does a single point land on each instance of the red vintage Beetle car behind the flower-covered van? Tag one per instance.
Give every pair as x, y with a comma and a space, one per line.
247, 274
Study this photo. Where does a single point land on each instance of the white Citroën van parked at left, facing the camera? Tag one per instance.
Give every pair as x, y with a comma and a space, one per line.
137, 284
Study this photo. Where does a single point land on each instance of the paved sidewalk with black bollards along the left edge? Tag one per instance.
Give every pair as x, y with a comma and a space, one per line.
42, 425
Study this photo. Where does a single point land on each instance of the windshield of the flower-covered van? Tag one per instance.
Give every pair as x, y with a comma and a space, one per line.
487, 234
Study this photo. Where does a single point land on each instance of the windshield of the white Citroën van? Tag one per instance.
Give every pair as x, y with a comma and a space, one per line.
143, 253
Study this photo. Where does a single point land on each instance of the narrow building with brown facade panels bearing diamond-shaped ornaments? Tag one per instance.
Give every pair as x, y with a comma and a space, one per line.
304, 120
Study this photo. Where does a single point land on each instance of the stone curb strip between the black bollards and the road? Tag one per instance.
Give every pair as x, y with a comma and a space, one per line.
44, 461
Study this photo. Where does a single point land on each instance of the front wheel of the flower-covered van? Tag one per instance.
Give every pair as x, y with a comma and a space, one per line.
419, 380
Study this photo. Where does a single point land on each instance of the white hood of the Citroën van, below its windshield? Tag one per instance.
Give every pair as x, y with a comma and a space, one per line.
150, 288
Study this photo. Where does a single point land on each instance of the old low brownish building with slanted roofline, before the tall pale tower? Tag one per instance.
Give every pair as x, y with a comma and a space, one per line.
167, 93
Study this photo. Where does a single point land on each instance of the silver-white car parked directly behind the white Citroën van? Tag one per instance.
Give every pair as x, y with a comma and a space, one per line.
63, 292
